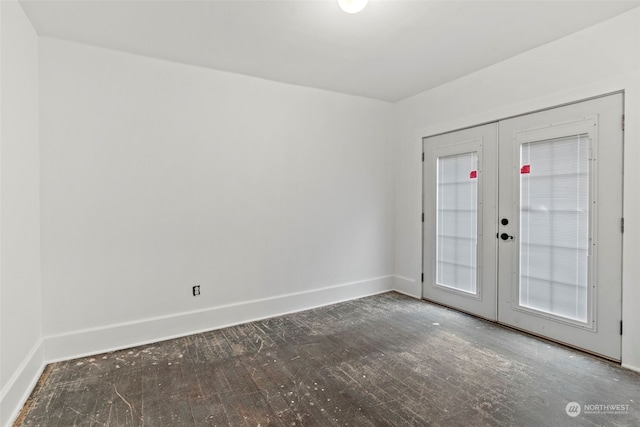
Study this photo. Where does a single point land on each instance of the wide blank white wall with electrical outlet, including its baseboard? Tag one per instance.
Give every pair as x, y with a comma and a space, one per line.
157, 176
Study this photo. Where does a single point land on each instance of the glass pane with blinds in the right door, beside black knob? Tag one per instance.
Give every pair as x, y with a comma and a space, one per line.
554, 226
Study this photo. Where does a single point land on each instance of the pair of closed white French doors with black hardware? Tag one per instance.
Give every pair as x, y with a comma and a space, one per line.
522, 222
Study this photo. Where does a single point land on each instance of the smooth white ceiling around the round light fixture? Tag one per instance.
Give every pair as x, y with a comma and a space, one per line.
391, 50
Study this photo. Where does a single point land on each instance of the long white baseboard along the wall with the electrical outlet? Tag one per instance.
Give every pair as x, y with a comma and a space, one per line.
120, 336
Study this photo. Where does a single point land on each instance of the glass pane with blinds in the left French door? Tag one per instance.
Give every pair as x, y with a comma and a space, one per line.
457, 219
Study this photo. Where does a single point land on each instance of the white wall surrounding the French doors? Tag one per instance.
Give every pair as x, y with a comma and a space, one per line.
597, 60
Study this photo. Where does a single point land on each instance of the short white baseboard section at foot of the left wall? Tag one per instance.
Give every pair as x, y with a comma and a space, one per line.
16, 392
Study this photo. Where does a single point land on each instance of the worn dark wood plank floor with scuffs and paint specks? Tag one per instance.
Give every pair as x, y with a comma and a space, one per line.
386, 360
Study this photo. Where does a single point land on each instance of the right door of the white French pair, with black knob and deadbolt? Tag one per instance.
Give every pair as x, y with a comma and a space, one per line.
560, 189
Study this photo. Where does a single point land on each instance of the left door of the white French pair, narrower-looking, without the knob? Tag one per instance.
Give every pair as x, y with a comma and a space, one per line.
460, 179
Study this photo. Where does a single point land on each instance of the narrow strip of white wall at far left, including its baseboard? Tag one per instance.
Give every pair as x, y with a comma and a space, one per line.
20, 291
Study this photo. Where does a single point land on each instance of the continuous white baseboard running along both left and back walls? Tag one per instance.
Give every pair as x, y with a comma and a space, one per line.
115, 337
